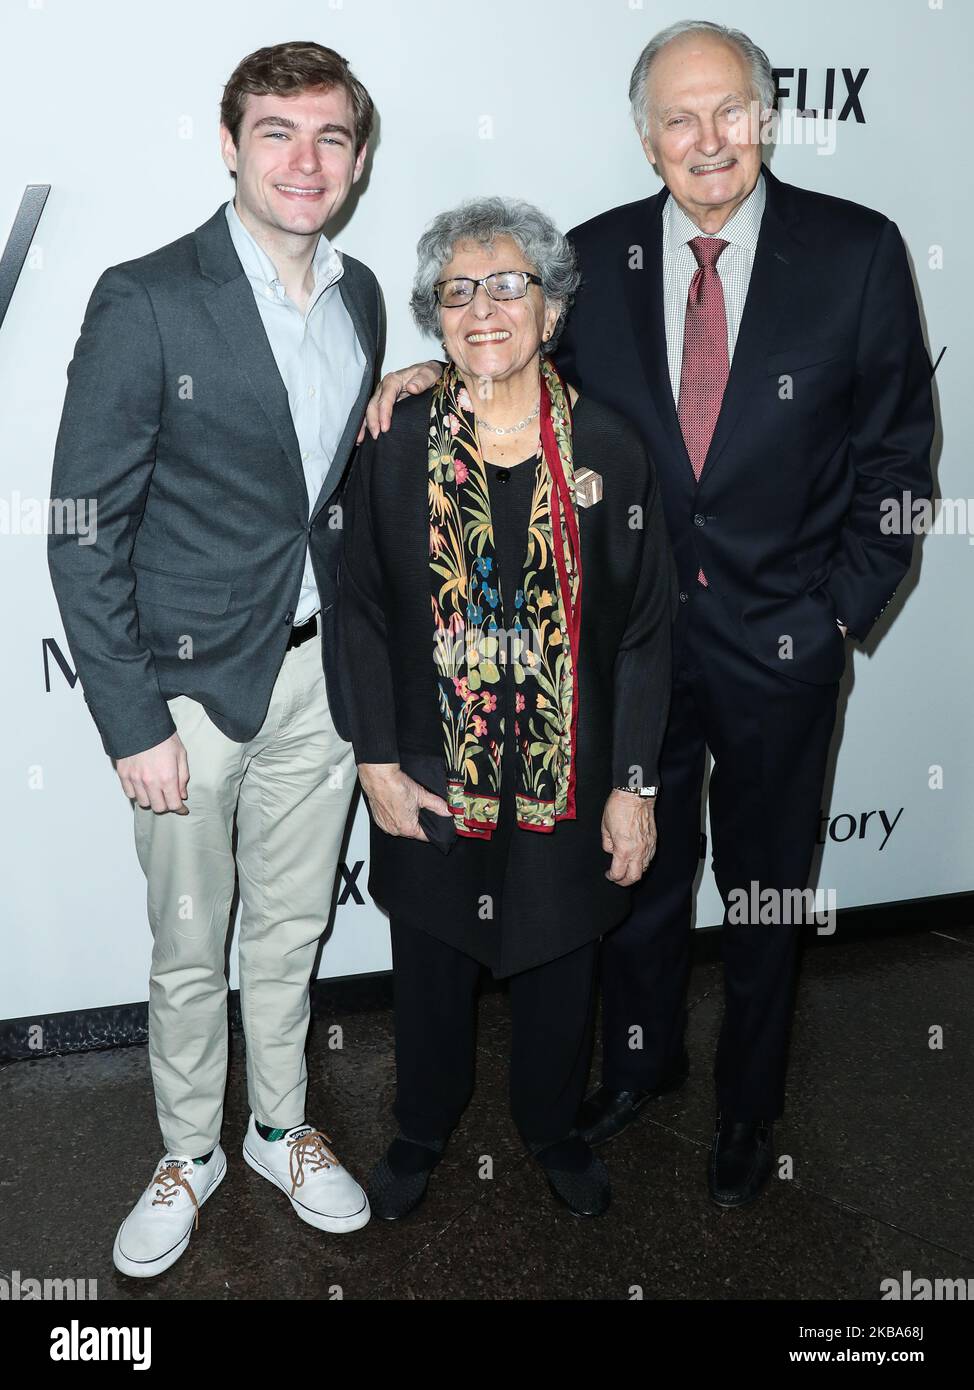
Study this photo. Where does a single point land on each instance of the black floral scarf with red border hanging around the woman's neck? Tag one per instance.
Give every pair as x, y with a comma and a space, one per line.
474, 639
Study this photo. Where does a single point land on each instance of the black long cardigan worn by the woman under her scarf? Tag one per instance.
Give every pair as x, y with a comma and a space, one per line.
523, 897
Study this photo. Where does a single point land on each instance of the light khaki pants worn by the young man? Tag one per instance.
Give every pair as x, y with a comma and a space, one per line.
290, 789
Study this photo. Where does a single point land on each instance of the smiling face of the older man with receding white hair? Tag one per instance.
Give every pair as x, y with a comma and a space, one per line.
704, 127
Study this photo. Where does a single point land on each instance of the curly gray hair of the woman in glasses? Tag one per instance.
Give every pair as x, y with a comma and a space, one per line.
483, 220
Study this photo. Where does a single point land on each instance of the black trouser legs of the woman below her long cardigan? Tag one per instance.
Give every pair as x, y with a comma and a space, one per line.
436, 1004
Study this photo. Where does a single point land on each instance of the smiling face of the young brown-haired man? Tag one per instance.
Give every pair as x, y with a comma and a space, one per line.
295, 162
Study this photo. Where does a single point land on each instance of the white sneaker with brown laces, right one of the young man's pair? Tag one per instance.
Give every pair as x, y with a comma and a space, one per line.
330, 1196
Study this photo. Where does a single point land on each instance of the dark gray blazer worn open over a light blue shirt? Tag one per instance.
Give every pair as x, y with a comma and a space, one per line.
177, 426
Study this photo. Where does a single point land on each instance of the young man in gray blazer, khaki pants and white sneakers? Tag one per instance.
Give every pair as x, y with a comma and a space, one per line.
213, 405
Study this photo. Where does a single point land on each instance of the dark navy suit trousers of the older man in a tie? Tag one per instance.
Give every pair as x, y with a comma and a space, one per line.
769, 737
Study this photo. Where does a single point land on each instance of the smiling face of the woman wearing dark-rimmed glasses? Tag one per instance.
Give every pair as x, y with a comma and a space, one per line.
488, 338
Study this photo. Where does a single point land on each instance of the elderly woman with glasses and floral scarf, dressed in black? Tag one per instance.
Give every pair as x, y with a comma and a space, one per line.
505, 641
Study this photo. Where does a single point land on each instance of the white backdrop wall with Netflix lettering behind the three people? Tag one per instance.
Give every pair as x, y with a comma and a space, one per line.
116, 106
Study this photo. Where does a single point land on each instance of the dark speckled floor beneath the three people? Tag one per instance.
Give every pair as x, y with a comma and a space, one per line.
879, 1127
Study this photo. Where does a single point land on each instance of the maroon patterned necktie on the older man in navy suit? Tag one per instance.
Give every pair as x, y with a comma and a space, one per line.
705, 369
